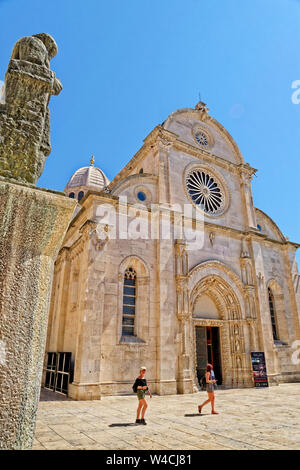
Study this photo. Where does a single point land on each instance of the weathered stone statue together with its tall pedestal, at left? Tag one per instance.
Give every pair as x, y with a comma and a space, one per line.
33, 222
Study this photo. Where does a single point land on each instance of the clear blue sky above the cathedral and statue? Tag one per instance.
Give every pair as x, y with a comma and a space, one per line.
126, 65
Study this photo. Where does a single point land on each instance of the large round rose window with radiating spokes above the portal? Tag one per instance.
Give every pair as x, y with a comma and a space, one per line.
205, 191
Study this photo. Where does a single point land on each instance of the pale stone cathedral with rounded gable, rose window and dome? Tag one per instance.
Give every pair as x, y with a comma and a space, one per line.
164, 302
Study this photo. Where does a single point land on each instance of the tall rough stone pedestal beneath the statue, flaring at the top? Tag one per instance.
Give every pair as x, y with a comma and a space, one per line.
33, 223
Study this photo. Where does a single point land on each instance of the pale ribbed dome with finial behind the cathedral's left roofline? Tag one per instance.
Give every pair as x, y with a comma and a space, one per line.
84, 179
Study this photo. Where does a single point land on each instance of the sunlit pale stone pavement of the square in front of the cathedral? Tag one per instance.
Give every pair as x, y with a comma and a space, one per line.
249, 419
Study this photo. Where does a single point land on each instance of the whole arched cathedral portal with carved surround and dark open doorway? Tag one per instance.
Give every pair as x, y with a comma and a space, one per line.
220, 333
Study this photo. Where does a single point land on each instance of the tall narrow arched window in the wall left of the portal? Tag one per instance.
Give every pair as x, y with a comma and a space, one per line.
129, 302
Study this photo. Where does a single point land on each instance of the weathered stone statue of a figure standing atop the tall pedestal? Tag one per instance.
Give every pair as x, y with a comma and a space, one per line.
24, 113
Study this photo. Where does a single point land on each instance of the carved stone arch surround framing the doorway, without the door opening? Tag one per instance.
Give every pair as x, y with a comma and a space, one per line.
224, 288
